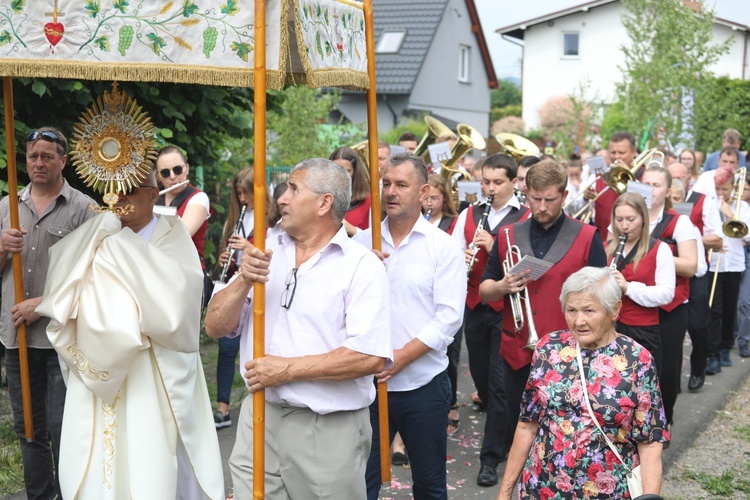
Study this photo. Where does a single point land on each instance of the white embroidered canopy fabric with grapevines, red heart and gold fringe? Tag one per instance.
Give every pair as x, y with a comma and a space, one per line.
313, 42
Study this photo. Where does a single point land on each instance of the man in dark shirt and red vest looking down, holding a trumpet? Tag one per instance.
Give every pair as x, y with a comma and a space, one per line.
550, 235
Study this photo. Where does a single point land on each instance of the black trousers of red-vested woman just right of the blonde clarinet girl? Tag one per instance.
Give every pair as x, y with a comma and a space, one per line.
672, 326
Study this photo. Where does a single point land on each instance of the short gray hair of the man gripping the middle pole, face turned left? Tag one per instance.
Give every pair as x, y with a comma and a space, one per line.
326, 177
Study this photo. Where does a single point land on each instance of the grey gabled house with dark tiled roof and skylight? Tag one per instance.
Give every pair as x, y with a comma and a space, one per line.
431, 57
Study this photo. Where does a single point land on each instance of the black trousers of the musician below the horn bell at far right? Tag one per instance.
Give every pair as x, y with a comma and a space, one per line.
724, 312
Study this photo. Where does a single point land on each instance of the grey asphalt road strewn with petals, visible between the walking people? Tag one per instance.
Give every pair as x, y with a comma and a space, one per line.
692, 413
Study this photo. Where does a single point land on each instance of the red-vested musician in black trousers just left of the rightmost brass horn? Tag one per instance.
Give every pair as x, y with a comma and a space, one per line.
704, 215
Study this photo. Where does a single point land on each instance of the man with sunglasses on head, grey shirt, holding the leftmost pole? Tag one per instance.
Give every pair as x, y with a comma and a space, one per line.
48, 210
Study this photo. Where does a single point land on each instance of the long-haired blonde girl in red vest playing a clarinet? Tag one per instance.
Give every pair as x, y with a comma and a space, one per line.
644, 270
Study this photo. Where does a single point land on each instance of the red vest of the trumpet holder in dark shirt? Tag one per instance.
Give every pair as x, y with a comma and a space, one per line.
544, 293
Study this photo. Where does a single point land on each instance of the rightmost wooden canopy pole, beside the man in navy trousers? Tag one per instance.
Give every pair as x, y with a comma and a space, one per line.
372, 137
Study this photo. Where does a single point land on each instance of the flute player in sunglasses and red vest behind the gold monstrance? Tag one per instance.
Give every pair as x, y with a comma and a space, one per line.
191, 203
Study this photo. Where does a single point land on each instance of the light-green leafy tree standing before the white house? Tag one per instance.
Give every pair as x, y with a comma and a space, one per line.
666, 64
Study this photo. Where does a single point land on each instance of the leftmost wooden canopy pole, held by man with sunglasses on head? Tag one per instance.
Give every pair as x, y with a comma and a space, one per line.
23, 348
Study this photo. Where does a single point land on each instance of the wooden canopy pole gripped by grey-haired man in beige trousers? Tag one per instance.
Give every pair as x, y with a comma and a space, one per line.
259, 206
